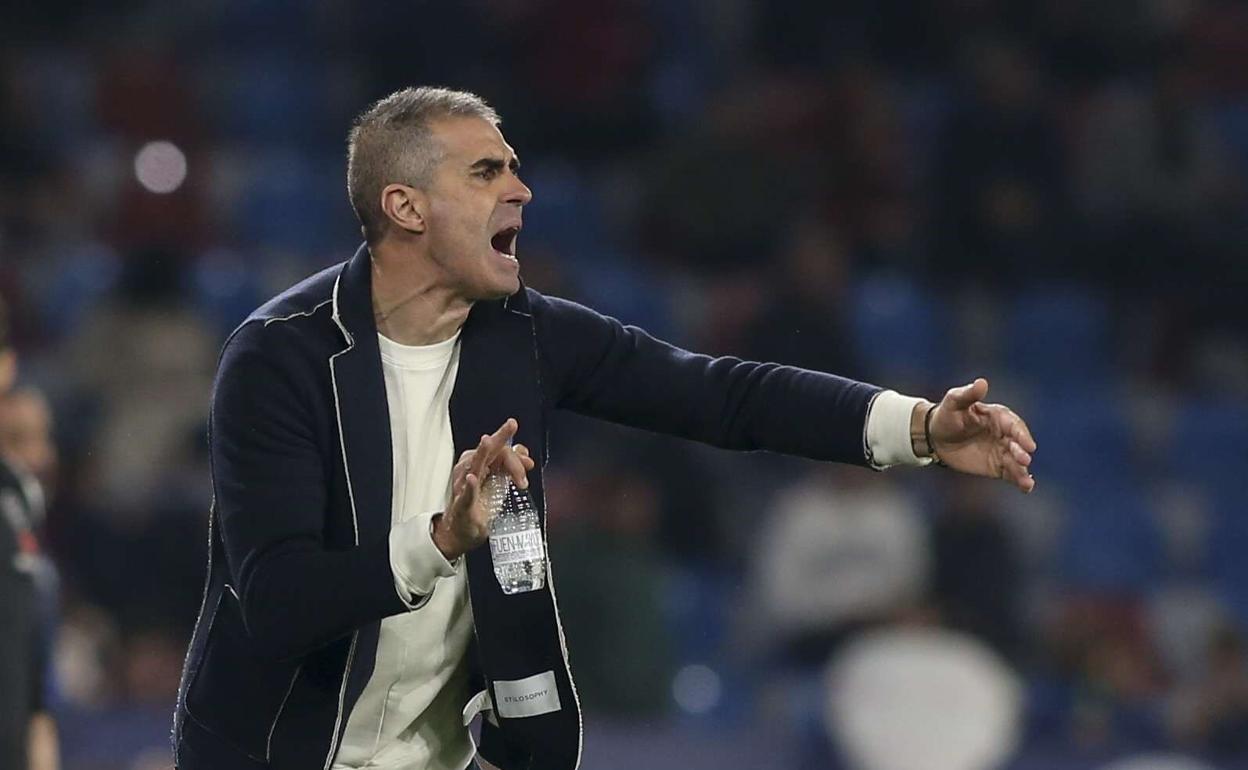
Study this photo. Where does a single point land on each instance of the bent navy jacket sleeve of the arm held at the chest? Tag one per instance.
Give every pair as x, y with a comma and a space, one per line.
270, 482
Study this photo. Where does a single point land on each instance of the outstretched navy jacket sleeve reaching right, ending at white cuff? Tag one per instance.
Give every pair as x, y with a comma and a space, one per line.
596, 366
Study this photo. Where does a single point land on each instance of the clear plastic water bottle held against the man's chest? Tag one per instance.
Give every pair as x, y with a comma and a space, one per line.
516, 542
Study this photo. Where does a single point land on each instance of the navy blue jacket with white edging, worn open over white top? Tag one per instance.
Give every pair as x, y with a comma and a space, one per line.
299, 573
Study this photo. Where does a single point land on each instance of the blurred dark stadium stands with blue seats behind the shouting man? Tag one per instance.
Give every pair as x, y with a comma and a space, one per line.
1049, 193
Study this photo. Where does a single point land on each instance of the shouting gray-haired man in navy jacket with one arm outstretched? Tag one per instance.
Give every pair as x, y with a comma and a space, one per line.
351, 617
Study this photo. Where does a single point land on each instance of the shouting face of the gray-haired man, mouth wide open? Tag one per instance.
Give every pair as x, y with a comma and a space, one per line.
475, 205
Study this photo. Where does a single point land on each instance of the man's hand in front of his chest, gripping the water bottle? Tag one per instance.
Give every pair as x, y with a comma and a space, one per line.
466, 524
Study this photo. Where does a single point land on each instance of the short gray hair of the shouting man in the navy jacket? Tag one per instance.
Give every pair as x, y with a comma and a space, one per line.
392, 142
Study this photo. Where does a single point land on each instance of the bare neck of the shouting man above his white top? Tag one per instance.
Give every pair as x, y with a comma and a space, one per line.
410, 305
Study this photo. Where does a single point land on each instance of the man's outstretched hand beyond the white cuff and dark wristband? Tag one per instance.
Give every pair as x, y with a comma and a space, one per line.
982, 439
